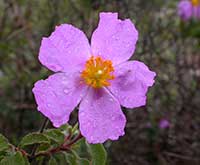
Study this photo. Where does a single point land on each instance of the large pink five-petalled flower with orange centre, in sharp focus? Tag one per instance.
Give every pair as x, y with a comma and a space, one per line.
96, 76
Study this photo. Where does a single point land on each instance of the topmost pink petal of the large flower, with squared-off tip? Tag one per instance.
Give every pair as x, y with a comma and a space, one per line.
114, 39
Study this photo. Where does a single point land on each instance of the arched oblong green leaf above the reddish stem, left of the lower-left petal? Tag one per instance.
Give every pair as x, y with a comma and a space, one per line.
34, 138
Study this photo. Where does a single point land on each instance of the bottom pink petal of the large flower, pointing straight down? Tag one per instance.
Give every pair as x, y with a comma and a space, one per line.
100, 117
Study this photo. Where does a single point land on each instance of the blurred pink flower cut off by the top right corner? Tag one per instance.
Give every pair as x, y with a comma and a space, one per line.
188, 9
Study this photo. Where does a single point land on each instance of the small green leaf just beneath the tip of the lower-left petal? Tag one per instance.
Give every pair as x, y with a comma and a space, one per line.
55, 135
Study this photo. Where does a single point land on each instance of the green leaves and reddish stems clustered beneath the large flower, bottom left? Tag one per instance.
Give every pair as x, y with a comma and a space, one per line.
55, 146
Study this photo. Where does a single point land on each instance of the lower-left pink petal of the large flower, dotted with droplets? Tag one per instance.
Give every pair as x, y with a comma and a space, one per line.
58, 95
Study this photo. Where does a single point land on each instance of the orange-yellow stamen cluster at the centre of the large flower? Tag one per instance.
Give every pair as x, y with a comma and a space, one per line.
98, 72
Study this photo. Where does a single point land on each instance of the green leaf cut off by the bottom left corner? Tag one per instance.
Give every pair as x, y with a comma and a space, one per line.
16, 159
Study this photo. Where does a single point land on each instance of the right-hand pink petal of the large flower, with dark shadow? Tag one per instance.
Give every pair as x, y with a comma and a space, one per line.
131, 83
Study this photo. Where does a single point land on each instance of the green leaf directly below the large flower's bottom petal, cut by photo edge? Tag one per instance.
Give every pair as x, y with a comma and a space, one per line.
98, 154
